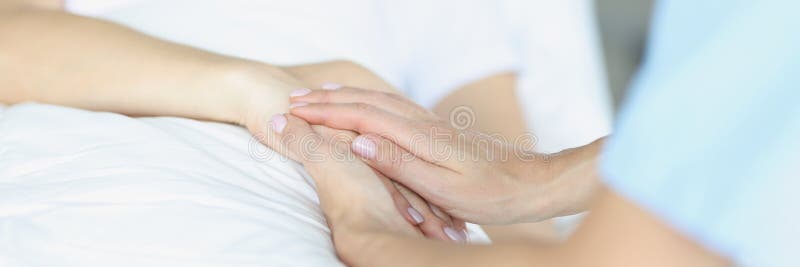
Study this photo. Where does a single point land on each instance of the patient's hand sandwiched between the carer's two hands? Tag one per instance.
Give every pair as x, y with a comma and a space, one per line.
268, 93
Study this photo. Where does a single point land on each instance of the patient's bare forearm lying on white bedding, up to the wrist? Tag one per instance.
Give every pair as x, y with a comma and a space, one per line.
53, 57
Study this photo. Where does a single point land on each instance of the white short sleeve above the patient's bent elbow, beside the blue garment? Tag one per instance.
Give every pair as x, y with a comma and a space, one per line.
562, 87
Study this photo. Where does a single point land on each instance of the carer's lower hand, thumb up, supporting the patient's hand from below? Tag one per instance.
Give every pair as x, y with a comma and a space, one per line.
352, 196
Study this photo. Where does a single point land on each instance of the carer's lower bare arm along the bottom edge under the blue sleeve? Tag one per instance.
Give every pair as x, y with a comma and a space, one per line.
598, 242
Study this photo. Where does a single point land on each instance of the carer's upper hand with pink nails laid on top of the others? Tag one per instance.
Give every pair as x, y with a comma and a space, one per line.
473, 176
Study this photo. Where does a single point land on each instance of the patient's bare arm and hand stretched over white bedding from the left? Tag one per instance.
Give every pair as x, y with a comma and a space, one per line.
50, 56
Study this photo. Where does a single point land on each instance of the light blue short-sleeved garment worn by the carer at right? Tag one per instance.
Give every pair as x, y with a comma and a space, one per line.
709, 139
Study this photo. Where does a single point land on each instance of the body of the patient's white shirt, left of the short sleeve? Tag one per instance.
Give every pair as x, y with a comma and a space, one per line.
400, 40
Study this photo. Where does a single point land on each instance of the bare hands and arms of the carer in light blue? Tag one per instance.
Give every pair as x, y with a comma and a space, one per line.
367, 235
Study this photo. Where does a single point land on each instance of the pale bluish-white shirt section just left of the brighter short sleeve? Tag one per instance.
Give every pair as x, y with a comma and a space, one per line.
459, 45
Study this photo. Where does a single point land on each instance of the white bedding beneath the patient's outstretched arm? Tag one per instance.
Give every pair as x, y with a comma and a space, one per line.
80, 188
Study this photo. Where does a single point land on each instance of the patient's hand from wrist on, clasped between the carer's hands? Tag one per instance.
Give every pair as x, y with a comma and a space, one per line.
258, 91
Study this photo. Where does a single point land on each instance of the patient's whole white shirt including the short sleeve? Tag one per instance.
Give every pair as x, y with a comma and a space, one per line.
426, 48
